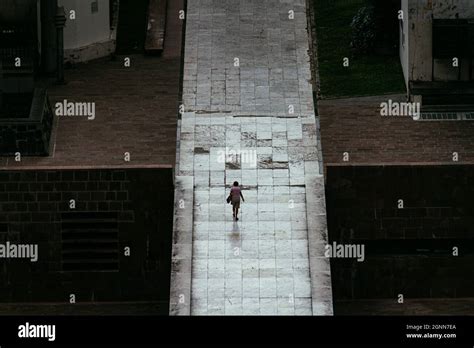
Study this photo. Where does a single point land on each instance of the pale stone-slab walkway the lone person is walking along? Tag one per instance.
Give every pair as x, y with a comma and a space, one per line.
249, 116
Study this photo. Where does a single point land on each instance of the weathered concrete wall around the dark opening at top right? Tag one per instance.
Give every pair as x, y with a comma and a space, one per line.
420, 15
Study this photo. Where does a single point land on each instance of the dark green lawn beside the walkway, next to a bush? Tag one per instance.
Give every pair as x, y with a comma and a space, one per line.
366, 74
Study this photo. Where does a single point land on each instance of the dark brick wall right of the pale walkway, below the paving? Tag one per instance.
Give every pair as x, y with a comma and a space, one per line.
409, 250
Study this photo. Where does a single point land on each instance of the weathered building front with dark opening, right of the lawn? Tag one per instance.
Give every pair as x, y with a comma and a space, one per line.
437, 51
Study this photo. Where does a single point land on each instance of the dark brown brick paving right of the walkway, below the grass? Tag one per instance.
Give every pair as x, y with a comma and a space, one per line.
355, 126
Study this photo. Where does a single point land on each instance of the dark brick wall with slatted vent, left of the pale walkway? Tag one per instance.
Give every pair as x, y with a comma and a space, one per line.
34, 206
